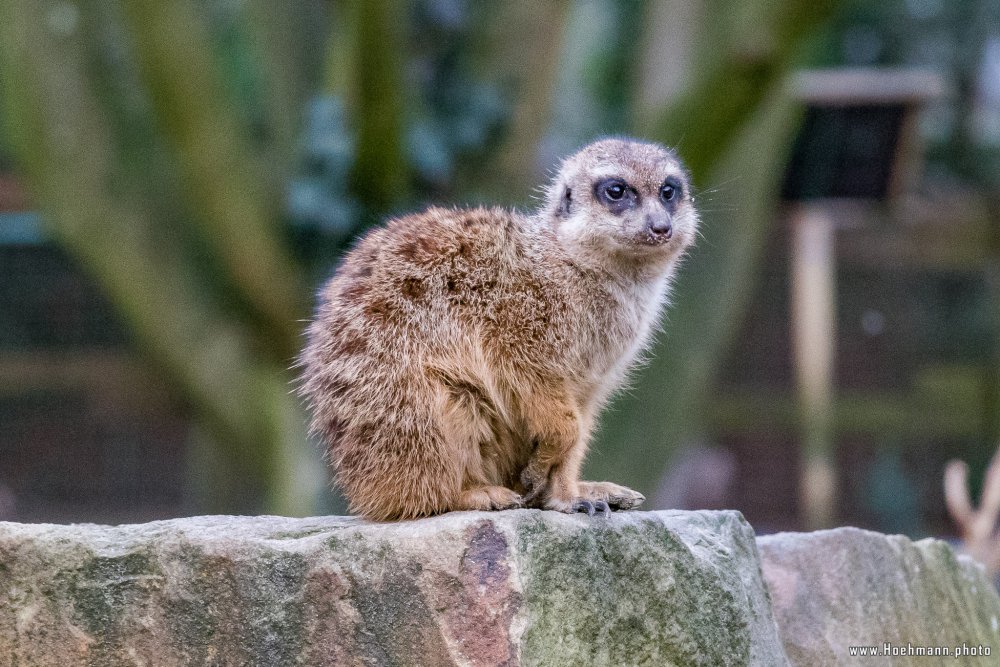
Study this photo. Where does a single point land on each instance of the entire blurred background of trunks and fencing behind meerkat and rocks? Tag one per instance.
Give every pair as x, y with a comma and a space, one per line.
178, 178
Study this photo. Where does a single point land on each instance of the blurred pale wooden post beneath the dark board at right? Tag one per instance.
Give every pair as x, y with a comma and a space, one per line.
813, 302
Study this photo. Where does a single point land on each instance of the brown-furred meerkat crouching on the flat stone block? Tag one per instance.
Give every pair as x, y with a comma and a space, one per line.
459, 357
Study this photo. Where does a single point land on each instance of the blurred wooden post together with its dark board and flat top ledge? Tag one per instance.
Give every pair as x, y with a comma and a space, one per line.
813, 183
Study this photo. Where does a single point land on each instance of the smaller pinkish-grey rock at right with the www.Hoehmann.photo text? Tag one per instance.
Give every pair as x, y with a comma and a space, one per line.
847, 587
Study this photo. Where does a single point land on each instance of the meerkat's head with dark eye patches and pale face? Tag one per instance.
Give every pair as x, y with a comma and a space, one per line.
623, 197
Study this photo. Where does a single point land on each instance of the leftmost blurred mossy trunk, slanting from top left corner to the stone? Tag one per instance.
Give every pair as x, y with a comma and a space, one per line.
66, 152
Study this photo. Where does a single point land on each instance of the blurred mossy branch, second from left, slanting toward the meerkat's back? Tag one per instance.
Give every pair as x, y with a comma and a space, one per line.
225, 185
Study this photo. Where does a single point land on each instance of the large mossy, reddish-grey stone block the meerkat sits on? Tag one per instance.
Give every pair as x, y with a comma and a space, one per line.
509, 588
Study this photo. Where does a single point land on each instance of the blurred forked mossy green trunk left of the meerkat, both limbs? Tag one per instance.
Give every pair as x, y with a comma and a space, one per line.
152, 185
